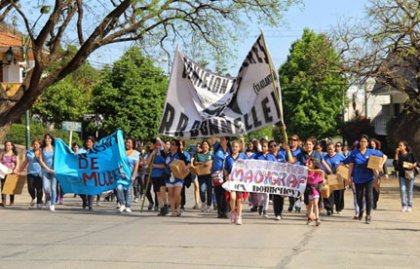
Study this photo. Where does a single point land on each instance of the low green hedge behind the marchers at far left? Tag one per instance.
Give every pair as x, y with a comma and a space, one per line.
17, 133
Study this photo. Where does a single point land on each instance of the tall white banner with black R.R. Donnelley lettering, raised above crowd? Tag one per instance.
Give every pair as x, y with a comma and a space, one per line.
200, 103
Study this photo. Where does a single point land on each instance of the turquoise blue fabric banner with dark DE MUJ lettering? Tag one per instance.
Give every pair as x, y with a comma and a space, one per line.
100, 169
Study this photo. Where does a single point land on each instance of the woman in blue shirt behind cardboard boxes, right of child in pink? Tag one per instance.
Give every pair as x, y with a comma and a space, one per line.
334, 159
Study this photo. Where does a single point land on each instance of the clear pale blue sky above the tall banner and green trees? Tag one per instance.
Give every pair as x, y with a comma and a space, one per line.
317, 15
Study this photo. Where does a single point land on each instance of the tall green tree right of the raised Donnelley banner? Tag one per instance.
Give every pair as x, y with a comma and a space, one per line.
312, 87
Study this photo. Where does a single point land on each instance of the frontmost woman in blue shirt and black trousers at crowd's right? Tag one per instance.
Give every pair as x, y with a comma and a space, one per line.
361, 175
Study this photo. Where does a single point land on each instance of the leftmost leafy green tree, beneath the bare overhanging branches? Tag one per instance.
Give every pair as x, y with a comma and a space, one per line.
68, 99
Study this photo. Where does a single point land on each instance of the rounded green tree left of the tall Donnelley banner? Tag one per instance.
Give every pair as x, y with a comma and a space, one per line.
131, 95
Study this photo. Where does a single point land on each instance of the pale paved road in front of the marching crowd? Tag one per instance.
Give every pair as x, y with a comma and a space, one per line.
72, 238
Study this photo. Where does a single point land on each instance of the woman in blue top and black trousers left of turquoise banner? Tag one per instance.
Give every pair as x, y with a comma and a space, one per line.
34, 173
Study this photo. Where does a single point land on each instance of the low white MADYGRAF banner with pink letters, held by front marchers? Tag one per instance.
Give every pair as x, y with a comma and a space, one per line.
267, 177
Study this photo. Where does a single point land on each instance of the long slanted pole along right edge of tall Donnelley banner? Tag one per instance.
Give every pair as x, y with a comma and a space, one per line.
277, 96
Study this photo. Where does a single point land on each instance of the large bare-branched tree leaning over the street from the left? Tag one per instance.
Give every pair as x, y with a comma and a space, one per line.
90, 25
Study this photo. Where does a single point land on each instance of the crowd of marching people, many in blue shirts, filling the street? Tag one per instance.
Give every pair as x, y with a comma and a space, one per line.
208, 165
